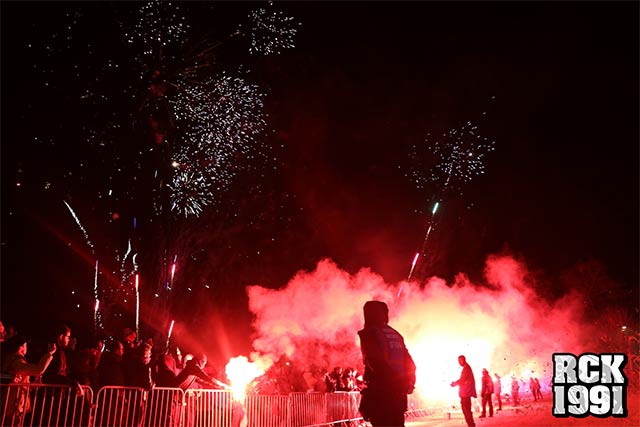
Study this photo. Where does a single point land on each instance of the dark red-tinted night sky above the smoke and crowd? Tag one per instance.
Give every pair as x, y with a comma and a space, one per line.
553, 84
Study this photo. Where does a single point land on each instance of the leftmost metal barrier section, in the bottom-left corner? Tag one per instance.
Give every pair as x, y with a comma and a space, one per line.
44, 405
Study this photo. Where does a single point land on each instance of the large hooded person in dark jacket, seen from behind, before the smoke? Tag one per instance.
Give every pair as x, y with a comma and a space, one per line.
389, 370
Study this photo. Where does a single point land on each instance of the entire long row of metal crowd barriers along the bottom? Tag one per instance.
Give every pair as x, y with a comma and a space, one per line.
30, 405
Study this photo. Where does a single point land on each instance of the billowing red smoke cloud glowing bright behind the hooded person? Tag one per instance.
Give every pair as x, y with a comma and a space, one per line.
501, 325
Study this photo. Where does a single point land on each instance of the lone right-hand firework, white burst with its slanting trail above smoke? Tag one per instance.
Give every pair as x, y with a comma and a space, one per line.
456, 158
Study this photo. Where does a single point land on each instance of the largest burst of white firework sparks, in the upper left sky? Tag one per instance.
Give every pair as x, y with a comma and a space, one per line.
221, 119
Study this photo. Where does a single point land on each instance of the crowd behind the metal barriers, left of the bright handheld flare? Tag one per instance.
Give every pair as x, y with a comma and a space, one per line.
126, 361
